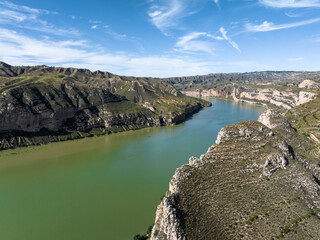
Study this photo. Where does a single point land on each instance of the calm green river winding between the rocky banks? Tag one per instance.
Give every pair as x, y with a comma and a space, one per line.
102, 188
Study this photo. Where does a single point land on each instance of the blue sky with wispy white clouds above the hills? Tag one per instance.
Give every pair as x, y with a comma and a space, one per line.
162, 38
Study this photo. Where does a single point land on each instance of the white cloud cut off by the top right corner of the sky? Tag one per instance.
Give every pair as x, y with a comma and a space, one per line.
291, 3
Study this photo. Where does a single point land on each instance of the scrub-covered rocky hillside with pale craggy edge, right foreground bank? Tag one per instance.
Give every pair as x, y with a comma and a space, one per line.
259, 181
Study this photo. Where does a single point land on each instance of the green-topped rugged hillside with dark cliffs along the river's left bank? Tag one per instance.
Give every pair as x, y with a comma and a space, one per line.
42, 104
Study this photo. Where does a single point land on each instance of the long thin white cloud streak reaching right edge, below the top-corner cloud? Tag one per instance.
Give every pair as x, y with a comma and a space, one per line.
269, 26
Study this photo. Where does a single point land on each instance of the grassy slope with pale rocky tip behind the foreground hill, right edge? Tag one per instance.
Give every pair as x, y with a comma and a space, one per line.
300, 128
